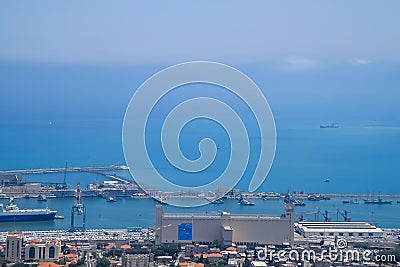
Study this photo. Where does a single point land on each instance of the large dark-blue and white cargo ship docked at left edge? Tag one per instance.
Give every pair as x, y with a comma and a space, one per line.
13, 214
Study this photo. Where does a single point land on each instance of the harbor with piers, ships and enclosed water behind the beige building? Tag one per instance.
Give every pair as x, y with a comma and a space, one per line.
106, 198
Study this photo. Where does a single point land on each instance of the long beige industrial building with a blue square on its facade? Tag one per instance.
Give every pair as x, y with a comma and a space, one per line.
229, 228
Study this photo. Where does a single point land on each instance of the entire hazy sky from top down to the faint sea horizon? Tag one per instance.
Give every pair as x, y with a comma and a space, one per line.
331, 60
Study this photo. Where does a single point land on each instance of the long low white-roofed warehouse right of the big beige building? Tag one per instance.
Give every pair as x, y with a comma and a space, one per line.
356, 229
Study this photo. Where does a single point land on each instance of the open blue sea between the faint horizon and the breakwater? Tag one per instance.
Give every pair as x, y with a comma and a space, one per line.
357, 158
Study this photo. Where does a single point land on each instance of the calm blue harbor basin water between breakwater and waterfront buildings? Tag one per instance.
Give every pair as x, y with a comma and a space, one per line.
128, 212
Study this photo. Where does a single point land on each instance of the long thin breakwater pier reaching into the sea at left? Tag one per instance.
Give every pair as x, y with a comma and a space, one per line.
95, 170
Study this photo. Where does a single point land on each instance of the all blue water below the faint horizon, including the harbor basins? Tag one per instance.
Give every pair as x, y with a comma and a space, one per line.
356, 158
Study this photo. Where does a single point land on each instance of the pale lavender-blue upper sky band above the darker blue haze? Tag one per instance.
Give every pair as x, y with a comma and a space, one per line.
296, 34
